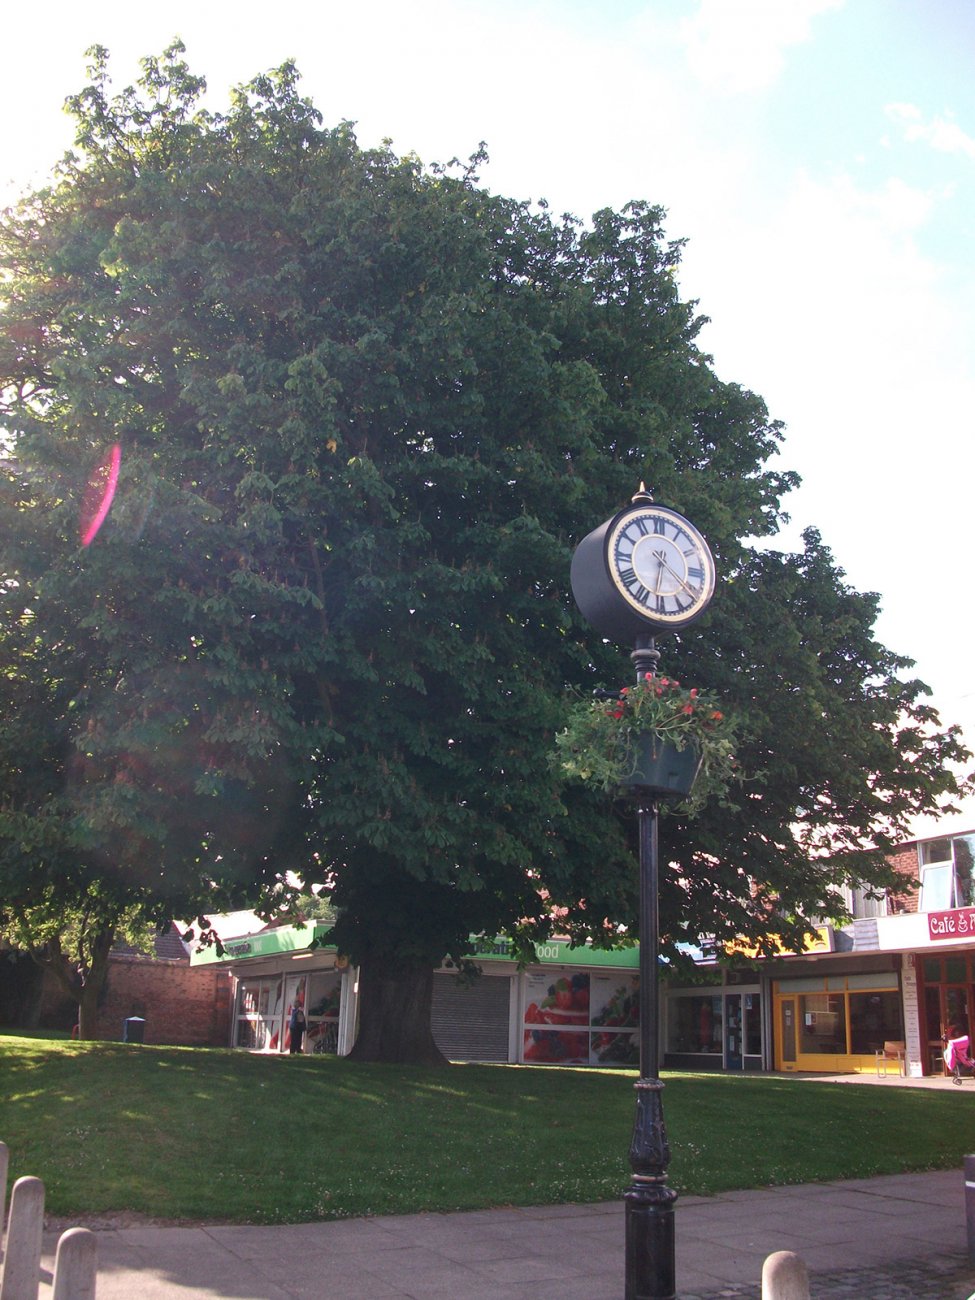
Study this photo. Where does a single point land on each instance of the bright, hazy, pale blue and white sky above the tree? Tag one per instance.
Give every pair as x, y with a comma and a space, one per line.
817, 155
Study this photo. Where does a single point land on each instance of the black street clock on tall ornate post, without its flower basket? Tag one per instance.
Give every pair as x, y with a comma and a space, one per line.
645, 571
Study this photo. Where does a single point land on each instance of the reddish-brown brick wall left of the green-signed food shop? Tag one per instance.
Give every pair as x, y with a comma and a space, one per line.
183, 1006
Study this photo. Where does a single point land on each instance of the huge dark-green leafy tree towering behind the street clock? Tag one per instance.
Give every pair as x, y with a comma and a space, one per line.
365, 413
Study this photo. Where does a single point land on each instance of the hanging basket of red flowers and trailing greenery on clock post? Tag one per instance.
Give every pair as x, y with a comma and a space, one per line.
656, 738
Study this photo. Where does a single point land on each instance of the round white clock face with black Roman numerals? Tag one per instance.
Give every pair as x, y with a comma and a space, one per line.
661, 565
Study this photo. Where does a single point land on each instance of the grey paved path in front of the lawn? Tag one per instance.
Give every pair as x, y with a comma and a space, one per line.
900, 1238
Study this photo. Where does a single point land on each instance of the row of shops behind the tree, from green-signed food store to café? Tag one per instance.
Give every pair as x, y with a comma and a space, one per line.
904, 972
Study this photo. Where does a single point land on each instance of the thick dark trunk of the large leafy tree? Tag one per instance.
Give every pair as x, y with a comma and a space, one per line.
395, 1015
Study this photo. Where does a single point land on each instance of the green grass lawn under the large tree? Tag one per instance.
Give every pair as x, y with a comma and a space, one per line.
188, 1133
